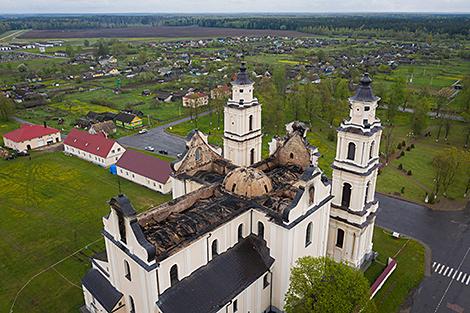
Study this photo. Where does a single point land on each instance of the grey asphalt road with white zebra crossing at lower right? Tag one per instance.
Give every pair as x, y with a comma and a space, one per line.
447, 289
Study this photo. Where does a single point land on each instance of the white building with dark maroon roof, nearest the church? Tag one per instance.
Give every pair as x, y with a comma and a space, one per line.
145, 170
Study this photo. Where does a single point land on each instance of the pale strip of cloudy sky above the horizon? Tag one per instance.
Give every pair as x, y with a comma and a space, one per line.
231, 6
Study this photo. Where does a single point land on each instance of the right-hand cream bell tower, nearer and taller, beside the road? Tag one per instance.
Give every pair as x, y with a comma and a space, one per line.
352, 215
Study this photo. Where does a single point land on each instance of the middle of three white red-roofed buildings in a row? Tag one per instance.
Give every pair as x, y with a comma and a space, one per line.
93, 148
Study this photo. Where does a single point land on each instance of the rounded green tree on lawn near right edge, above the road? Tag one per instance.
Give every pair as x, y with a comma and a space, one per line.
446, 164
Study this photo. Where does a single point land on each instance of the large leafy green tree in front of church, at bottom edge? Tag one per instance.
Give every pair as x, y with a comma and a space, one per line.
321, 285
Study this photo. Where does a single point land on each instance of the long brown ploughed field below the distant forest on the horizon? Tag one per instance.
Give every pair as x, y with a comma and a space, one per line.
161, 31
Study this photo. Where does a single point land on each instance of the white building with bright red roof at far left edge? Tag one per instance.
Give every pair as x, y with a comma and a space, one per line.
30, 136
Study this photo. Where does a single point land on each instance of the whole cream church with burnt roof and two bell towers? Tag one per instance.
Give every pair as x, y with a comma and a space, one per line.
237, 222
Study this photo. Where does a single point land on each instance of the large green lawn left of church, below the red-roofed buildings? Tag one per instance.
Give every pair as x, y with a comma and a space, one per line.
52, 206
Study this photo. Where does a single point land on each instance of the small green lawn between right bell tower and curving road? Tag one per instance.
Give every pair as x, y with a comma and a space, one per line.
407, 275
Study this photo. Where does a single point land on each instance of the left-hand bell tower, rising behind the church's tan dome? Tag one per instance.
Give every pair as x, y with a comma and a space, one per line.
242, 122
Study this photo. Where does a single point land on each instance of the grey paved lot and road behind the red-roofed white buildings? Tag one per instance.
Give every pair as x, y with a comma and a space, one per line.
159, 139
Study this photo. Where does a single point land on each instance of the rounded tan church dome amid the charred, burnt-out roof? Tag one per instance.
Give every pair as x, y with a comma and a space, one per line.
248, 182
